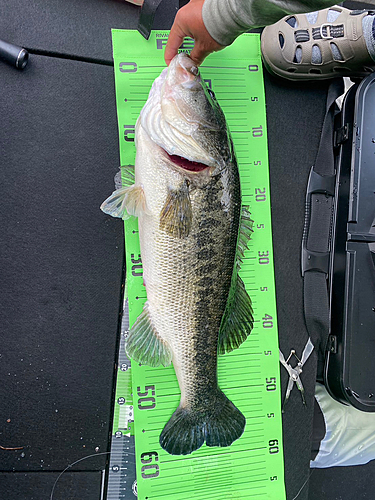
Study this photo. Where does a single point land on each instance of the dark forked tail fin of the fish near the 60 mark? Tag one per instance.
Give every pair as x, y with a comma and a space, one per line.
218, 424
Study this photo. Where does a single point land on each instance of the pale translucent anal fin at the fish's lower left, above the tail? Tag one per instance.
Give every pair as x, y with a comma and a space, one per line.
144, 344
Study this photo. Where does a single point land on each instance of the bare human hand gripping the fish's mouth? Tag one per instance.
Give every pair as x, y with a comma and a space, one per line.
189, 22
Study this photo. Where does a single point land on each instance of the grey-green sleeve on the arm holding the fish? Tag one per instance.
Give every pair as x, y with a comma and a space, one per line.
226, 19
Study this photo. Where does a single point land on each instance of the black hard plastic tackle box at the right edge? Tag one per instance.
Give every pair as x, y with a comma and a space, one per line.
349, 371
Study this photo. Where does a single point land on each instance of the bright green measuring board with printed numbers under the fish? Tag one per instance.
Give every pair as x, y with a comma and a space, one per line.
252, 467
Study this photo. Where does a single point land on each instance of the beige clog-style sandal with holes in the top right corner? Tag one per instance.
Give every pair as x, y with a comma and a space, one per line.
310, 47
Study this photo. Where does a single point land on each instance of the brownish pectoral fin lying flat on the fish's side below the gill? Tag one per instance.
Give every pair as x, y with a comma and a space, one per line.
176, 215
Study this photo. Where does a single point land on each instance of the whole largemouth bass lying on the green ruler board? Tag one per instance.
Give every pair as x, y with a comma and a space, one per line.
193, 232
